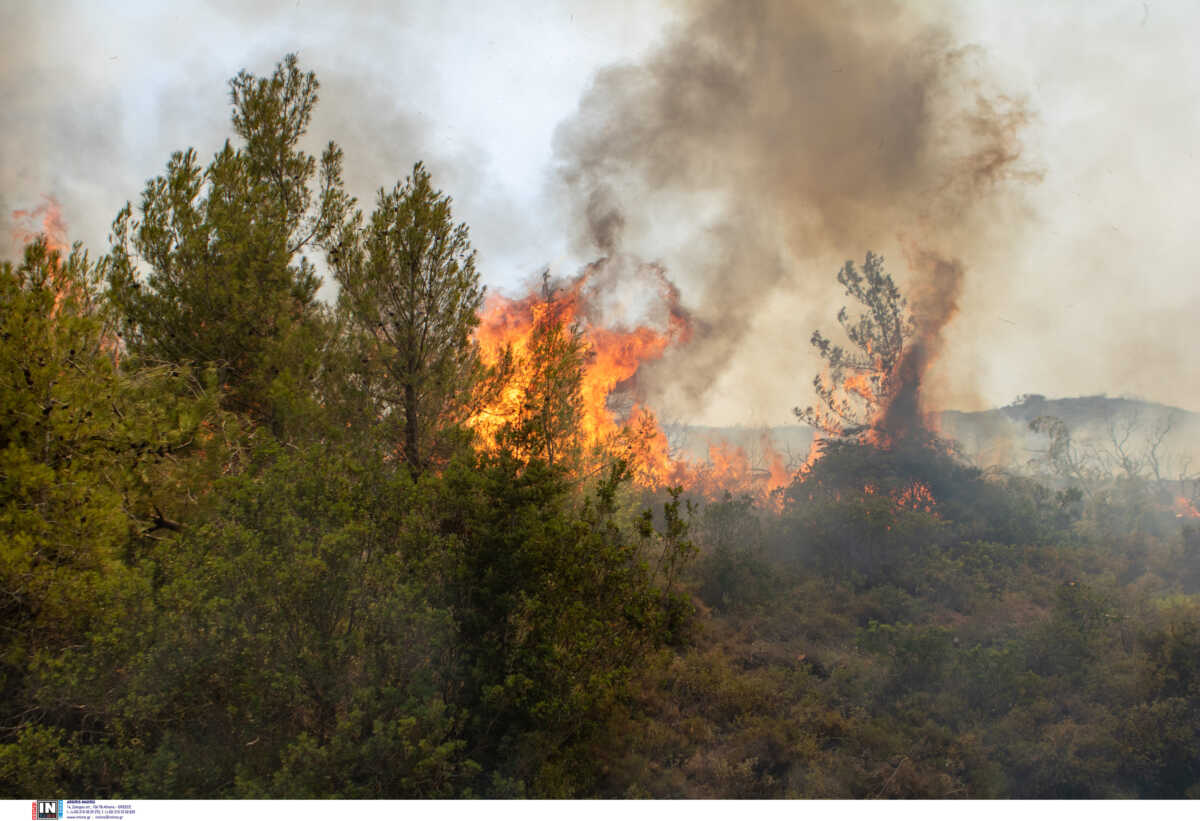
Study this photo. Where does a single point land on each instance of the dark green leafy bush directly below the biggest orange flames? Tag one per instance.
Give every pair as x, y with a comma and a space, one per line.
559, 607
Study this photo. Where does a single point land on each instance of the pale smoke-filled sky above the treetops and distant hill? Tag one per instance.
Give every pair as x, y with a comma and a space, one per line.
1081, 267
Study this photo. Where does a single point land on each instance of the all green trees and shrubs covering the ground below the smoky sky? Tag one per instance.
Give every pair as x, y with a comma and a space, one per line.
249, 549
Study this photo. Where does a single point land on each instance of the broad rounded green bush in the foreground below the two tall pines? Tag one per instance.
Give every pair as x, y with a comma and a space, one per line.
297, 651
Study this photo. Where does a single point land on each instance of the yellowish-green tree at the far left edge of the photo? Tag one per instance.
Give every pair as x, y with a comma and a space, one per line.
91, 462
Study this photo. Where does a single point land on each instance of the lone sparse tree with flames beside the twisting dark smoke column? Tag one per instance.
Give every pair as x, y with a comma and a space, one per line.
859, 383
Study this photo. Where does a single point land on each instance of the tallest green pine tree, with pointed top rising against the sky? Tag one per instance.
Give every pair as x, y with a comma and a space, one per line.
213, 269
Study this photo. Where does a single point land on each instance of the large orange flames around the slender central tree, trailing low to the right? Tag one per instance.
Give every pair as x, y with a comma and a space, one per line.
615, 420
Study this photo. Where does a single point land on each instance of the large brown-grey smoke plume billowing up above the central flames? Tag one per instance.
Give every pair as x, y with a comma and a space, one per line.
823, 129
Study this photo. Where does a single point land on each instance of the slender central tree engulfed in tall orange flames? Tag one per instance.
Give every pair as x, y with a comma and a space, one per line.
567, 365
